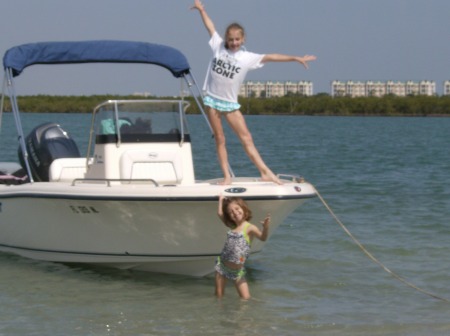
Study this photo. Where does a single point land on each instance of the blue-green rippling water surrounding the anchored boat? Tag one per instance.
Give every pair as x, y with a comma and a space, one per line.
386, 179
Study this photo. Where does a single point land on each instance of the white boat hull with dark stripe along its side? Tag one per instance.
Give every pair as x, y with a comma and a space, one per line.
169, 229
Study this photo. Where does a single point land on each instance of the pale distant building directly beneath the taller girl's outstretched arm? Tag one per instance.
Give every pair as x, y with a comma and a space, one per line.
275, 89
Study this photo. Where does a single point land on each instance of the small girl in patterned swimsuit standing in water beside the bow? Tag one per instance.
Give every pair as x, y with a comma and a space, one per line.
235, 214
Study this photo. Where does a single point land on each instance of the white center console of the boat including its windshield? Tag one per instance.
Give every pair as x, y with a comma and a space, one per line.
141, 140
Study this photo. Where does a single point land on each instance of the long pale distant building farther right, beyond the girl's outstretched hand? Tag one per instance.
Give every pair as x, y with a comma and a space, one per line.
379, 89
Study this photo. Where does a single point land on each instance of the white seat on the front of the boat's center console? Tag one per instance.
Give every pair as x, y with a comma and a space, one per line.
161, 166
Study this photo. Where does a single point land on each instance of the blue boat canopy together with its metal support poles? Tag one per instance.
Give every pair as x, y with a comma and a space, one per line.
16, 59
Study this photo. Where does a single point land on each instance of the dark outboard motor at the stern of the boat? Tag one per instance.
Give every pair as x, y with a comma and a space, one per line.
44, 144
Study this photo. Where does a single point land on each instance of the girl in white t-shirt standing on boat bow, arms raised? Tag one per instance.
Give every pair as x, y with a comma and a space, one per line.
226, 73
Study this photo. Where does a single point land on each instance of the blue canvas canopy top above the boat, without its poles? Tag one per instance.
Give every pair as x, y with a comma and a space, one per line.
105, 51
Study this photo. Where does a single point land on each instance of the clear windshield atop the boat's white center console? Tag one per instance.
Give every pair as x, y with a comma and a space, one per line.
140, 120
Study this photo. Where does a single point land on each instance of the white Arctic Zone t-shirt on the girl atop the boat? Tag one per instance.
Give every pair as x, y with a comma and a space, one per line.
227, 70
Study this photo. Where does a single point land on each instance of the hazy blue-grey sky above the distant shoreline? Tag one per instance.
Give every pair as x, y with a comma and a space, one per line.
358, 40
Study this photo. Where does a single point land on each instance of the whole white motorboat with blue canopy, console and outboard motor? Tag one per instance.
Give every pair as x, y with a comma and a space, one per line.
132, 201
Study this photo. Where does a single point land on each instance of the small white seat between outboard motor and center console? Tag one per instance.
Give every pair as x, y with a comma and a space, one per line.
67, 169
